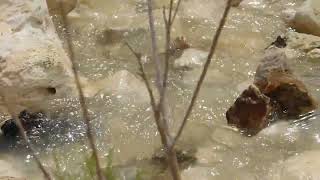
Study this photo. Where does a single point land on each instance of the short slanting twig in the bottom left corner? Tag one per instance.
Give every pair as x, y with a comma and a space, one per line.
23, 133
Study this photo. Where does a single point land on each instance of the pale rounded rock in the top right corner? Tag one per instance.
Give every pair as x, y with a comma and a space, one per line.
307, 18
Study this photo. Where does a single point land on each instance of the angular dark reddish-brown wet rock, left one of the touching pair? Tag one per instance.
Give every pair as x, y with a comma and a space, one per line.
250, 111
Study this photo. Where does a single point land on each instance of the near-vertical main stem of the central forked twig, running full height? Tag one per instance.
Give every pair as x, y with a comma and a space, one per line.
162, 126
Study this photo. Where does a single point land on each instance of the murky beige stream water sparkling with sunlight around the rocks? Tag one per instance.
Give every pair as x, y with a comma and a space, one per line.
129, 129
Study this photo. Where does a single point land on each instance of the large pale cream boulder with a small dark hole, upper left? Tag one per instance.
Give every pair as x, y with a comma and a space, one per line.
33, 65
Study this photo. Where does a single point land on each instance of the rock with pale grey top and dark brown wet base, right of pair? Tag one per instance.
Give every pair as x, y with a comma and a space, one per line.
275, 79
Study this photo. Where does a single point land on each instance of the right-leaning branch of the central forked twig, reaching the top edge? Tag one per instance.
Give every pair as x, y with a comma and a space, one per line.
204, 71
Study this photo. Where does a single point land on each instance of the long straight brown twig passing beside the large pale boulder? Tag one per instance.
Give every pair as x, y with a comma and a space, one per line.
84, 107
